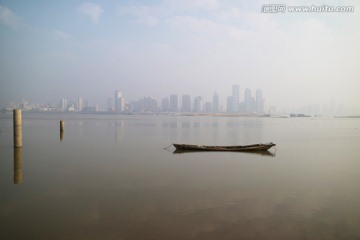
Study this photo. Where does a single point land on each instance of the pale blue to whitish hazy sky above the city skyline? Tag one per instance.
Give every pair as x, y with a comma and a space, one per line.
53, 49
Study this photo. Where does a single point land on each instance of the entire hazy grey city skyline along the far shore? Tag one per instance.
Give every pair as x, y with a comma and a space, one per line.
248, 104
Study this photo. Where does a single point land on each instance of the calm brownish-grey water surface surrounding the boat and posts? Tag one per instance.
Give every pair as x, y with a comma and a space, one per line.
110, 178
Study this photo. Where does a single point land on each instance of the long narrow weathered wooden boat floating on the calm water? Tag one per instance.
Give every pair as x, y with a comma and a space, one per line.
244, 148
